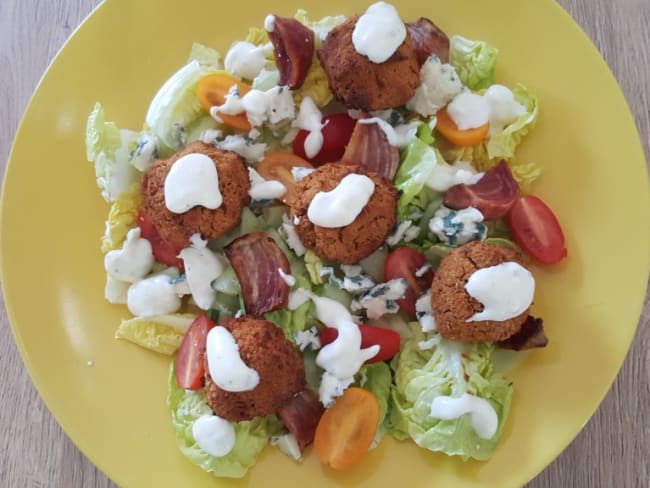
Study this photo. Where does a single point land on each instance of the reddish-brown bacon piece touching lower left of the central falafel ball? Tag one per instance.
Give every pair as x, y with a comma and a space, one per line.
256, 258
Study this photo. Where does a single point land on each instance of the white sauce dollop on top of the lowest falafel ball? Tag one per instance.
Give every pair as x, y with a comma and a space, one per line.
227, 369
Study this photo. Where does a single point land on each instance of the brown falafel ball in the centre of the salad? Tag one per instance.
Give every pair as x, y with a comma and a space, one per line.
349, 244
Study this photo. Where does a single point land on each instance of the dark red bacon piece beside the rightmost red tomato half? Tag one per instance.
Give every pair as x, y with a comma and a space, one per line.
493, 194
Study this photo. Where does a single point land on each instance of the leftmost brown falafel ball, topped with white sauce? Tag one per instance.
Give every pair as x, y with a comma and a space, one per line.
210, 223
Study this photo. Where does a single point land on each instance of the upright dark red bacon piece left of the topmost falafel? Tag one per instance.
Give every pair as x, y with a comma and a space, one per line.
293, 49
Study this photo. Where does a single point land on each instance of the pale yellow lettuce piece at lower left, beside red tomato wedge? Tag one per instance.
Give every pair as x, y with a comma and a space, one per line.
161, 333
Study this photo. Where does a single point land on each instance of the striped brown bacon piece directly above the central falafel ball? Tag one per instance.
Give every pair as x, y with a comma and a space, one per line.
369, 148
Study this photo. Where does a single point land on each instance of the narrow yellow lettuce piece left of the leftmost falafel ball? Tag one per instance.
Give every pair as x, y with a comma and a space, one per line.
122, 217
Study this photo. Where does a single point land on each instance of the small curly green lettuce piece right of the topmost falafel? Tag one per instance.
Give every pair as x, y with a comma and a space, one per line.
474, 61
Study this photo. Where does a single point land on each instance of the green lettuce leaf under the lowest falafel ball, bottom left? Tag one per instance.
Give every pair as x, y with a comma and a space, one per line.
252, 436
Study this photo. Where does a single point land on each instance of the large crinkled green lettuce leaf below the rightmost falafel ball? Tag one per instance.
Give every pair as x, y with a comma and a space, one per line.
451, 369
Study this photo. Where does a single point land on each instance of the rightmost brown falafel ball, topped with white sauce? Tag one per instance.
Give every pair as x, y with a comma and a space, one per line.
451, 303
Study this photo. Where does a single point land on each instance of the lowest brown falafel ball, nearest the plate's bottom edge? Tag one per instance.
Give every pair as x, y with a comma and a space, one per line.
264, 348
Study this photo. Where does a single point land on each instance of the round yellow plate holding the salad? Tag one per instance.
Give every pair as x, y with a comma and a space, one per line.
114, 410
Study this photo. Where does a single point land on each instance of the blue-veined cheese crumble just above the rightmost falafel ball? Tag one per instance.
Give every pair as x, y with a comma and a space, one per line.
458, 227
